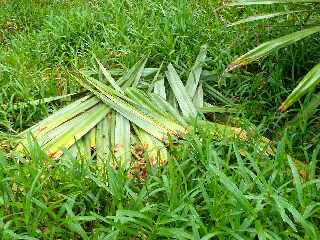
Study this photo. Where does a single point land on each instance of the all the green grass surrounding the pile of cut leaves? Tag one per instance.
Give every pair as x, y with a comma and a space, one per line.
206, 191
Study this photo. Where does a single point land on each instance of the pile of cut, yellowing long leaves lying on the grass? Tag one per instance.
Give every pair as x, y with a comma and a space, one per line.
124, 121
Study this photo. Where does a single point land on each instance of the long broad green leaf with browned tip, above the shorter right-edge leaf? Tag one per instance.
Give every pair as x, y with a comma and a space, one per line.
265, 48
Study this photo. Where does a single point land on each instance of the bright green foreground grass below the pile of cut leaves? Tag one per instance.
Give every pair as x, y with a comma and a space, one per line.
206, 190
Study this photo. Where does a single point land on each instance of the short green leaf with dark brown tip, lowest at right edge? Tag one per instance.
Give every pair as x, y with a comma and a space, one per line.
308, 82
